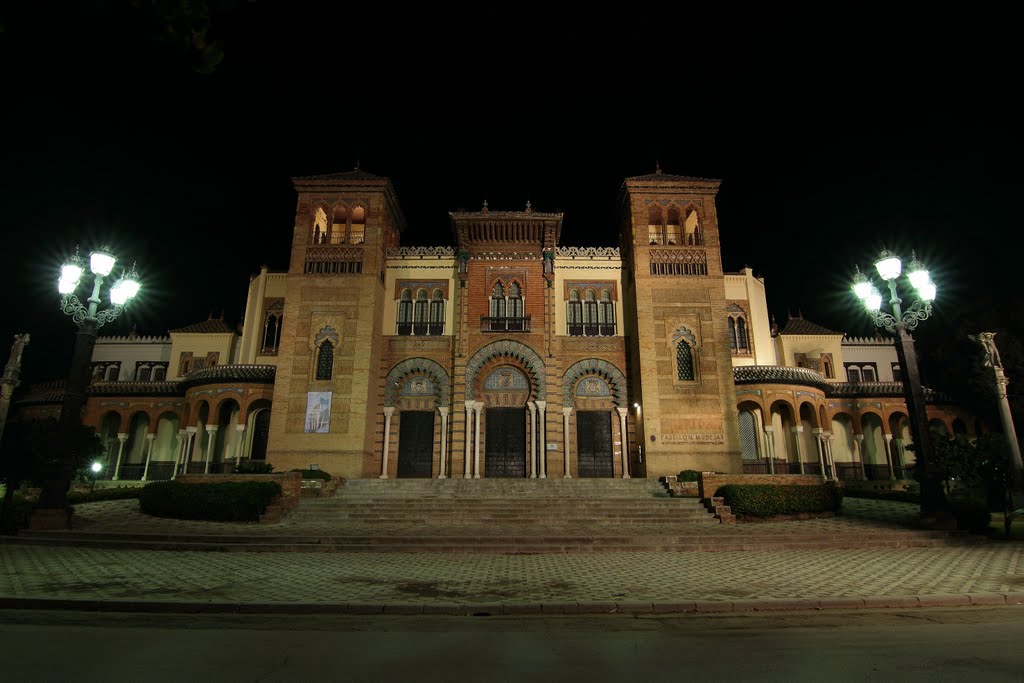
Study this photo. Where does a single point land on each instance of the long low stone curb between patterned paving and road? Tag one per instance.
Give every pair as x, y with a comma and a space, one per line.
498, 610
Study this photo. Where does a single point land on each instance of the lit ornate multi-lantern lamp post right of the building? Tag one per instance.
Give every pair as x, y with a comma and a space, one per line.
901, 323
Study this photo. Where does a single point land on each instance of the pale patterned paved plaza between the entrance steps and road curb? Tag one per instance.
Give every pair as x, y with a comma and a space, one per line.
985, 572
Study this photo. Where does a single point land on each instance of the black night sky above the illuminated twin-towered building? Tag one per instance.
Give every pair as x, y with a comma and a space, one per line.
832, 142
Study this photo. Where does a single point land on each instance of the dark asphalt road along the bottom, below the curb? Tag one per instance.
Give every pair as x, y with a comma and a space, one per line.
922, 645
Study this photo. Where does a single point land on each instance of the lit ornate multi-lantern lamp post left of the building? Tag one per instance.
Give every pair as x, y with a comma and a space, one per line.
53, 511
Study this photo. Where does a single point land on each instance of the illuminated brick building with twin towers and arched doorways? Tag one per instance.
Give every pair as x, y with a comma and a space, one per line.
505, 356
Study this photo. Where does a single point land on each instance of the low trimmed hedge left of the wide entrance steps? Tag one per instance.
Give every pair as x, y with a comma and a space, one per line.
228, 501
